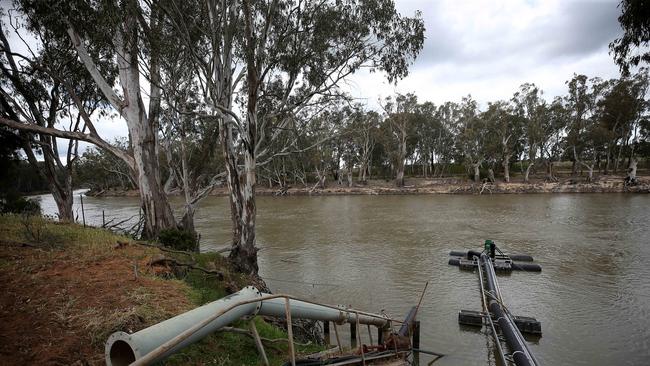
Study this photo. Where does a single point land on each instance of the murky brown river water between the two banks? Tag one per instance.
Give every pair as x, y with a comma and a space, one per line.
377, 252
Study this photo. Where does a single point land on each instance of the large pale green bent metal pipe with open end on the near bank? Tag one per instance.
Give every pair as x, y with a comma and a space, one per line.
123, 348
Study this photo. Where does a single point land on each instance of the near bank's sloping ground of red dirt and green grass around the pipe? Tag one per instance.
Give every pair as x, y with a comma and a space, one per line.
66, 288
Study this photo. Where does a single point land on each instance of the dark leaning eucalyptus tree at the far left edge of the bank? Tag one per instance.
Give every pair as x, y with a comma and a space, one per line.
43, 90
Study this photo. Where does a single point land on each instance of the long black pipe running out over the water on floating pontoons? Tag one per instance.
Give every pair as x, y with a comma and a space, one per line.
518, 348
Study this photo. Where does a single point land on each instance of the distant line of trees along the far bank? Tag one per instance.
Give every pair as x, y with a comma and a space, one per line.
598, 125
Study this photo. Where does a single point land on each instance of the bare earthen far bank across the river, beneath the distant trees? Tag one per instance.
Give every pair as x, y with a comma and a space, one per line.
414, 186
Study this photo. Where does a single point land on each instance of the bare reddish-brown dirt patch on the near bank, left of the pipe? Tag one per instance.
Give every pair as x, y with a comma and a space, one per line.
58, 310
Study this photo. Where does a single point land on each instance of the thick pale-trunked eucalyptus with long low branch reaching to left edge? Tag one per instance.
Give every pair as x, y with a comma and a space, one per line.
109, 38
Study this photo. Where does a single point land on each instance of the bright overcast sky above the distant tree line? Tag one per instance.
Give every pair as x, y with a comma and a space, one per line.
489, 48
